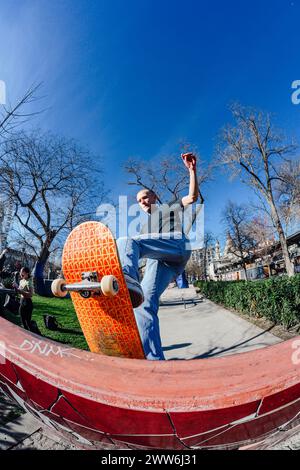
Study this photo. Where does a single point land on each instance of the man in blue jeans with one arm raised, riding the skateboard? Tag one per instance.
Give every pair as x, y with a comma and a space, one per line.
163, 243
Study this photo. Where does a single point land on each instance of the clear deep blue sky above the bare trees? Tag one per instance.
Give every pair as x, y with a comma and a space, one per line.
133, 78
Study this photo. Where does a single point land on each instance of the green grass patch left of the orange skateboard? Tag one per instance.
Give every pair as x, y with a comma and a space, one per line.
69, 331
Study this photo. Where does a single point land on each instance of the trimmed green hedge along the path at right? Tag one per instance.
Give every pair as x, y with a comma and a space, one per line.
277, 299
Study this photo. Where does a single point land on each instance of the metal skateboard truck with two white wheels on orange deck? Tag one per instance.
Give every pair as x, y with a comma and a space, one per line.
89, 285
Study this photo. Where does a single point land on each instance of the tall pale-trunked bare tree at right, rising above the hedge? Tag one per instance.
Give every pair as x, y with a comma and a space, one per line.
254, 151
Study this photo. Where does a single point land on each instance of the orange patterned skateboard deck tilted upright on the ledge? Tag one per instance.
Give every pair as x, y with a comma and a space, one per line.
108, 323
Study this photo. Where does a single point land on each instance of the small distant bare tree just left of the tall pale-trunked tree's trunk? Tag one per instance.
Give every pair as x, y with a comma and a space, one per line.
237, 221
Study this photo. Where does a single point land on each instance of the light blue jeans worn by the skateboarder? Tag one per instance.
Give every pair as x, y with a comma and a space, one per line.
166, 259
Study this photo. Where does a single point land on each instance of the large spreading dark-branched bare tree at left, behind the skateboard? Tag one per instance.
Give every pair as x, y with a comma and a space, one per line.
51, 182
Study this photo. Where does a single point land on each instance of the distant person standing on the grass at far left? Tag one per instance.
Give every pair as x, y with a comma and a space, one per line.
25, 289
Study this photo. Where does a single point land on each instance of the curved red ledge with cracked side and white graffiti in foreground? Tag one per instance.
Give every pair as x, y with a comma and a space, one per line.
107, 402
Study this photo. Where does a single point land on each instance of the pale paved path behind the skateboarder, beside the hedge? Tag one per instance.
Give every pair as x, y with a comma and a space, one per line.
198, 328
